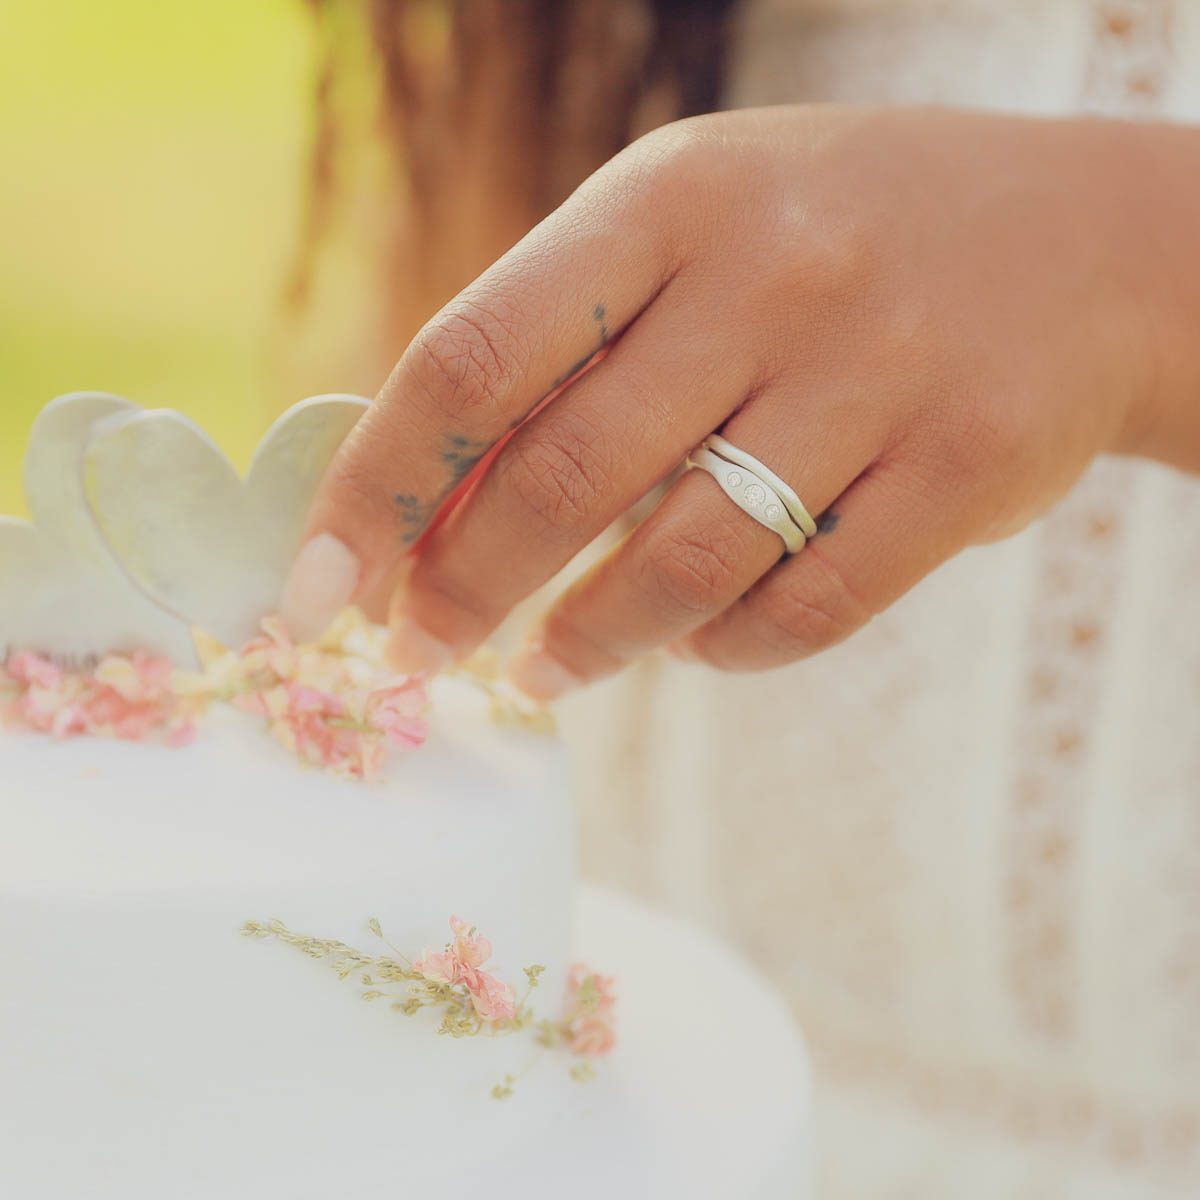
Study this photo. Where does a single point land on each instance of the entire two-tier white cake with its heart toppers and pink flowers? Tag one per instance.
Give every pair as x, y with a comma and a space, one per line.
151, 1051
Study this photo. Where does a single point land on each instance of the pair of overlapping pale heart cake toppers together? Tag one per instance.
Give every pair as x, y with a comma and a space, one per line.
141, 527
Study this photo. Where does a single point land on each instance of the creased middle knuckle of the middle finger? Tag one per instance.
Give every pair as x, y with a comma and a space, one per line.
560, 476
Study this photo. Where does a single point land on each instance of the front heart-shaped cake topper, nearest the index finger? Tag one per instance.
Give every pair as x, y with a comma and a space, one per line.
202, 543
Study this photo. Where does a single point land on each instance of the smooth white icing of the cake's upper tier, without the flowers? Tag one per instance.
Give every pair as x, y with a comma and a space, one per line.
149, 1051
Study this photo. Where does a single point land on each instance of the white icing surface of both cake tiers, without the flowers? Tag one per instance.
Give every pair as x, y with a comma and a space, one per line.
147, 1051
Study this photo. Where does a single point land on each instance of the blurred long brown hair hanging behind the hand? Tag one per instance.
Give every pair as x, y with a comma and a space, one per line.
491, 112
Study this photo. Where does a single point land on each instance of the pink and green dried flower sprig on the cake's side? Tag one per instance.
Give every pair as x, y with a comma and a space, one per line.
472, 1001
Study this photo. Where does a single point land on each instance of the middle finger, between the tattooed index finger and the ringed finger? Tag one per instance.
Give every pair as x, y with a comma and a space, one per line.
563, 478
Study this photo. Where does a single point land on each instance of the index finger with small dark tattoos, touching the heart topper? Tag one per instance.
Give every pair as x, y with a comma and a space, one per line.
470, 377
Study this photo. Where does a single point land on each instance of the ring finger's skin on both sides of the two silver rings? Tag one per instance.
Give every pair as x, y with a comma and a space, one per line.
697, 555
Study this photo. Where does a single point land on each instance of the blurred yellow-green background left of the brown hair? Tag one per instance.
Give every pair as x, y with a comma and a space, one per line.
153, 160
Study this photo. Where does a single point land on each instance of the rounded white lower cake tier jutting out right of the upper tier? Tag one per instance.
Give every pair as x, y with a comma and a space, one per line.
709, 1094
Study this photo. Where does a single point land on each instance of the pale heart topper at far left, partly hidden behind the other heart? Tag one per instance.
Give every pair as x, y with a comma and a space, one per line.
61, 591
